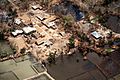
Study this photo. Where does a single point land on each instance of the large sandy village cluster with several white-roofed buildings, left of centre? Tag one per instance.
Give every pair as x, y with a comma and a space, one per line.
40, 34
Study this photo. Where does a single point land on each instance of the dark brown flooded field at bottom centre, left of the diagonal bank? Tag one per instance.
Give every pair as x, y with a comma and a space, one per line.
74, 68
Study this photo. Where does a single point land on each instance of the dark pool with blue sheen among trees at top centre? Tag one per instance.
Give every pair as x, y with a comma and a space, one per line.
67, 7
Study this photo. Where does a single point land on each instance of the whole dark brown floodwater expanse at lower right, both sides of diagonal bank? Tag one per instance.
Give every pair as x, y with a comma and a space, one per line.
95, 68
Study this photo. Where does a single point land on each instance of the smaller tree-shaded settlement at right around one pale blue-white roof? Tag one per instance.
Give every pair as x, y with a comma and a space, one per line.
99, 39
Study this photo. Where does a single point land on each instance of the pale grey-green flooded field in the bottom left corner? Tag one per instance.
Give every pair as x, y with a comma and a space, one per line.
18, 69
